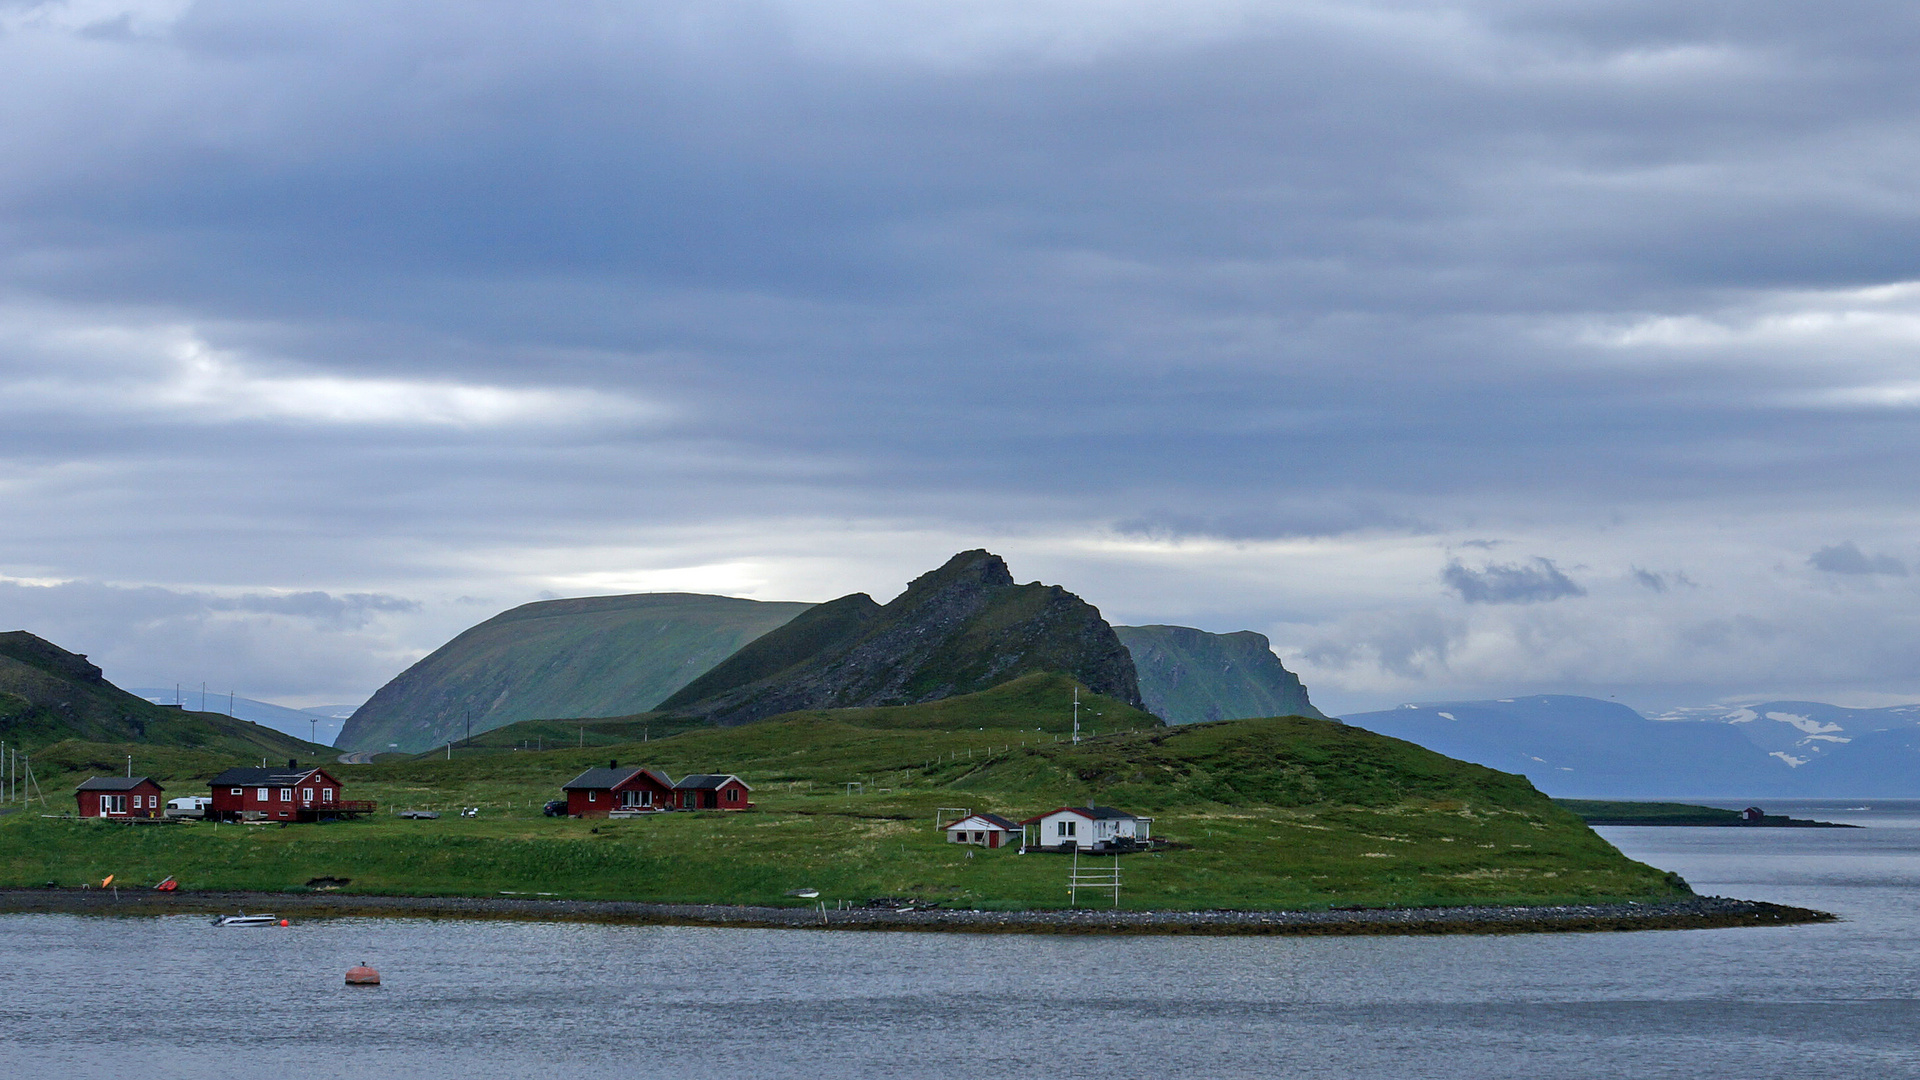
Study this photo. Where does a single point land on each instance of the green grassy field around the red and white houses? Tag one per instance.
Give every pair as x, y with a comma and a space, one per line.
1278, 814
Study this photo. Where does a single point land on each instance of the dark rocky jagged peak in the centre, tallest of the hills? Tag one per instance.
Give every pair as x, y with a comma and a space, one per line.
959, 629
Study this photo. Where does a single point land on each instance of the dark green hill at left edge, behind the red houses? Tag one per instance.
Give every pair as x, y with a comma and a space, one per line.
49, 697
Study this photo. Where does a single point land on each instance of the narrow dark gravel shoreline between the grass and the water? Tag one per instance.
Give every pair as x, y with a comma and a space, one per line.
1694, 914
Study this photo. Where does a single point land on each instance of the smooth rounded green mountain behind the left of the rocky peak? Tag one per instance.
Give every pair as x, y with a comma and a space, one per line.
598, 656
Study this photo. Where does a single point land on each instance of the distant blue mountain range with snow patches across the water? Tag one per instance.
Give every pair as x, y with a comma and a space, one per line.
1589, 749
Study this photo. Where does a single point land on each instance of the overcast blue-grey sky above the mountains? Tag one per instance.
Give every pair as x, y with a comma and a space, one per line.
1462, 349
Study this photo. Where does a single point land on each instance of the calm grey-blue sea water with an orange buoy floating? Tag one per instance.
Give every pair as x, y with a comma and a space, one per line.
176, 998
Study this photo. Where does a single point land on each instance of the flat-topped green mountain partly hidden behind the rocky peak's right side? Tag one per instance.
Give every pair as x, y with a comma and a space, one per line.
1189, 675
